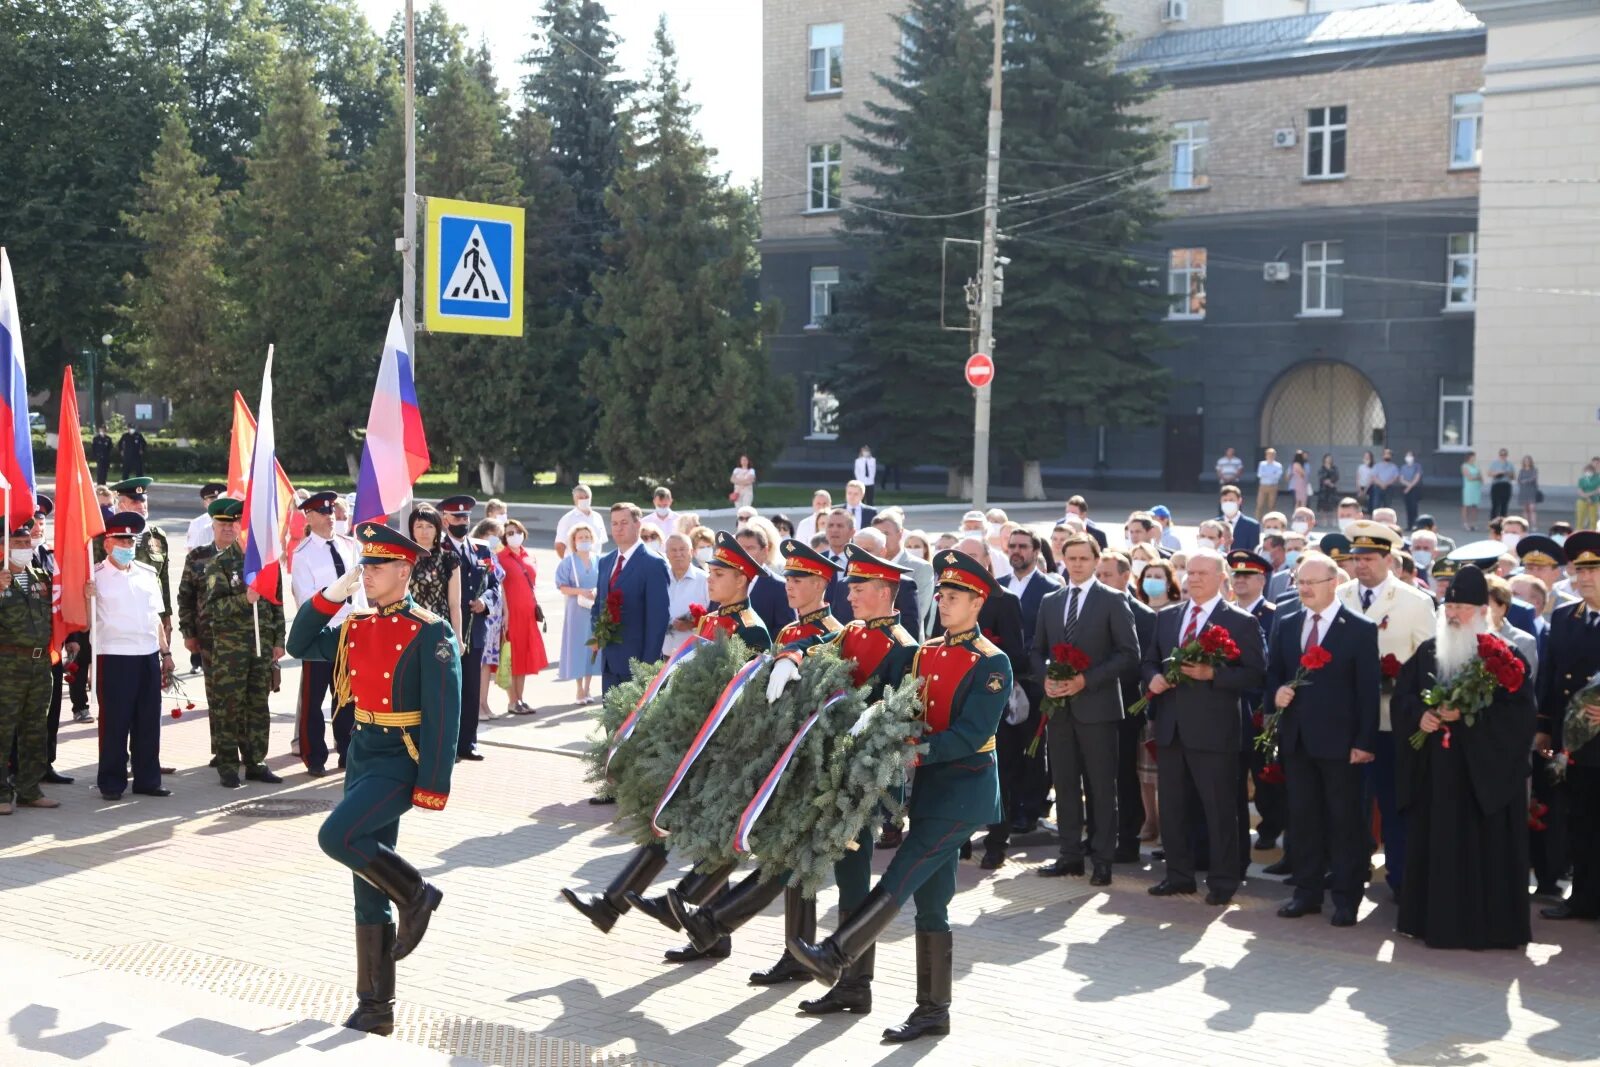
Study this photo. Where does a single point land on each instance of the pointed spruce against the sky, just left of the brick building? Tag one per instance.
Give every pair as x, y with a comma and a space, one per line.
682, 380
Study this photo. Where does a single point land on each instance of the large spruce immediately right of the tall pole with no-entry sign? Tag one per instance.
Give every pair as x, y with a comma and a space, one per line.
1079, 319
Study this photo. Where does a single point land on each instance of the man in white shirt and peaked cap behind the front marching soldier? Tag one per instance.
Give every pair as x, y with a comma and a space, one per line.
322, 559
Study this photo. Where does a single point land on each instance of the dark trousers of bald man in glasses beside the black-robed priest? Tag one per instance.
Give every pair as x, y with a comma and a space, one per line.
1327, 825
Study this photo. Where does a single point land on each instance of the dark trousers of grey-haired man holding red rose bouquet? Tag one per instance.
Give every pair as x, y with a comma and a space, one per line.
1215, 778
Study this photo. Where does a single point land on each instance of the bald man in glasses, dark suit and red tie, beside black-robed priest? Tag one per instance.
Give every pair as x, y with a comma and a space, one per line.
1329, 730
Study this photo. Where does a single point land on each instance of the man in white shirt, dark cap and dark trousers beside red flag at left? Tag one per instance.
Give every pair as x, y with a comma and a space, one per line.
134, 663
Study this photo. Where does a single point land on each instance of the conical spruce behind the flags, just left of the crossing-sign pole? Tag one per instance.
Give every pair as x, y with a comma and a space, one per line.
302, 278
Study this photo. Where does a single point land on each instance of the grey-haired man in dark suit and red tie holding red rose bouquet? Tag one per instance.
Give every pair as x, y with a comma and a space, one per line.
1198, 729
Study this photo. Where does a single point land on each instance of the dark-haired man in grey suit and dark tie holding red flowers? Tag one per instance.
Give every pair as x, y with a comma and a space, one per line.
1095, 620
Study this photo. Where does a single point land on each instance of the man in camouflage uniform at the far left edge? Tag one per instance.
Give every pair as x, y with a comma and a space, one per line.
25, 671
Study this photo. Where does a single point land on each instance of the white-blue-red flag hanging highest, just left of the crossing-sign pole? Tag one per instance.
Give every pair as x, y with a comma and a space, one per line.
396, 450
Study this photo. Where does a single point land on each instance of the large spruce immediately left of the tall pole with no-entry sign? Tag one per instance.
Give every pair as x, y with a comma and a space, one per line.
919, 182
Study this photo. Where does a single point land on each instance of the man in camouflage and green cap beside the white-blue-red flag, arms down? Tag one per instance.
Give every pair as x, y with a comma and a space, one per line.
239, 679
